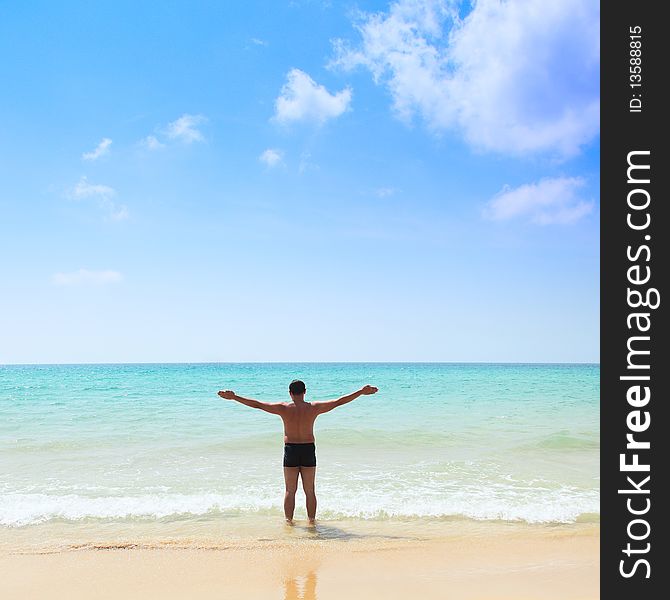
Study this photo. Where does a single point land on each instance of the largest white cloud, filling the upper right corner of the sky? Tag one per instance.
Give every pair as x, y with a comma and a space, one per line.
514, 77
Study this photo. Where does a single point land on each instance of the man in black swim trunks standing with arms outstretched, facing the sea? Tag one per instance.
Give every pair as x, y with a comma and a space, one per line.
299, 449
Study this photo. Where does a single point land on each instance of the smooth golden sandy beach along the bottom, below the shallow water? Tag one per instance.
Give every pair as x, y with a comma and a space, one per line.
517, 563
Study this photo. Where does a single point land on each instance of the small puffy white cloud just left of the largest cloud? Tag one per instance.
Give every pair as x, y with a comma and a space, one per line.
302, 99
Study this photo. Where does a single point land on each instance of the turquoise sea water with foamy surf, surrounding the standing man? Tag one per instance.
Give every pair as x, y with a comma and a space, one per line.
153, 442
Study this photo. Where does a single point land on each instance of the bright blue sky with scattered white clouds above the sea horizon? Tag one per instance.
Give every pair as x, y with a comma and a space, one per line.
299, 181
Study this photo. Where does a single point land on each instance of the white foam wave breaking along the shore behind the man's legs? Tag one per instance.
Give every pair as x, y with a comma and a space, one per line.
563, 505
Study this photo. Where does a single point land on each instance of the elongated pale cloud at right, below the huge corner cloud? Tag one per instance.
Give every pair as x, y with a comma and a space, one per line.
549, 201
